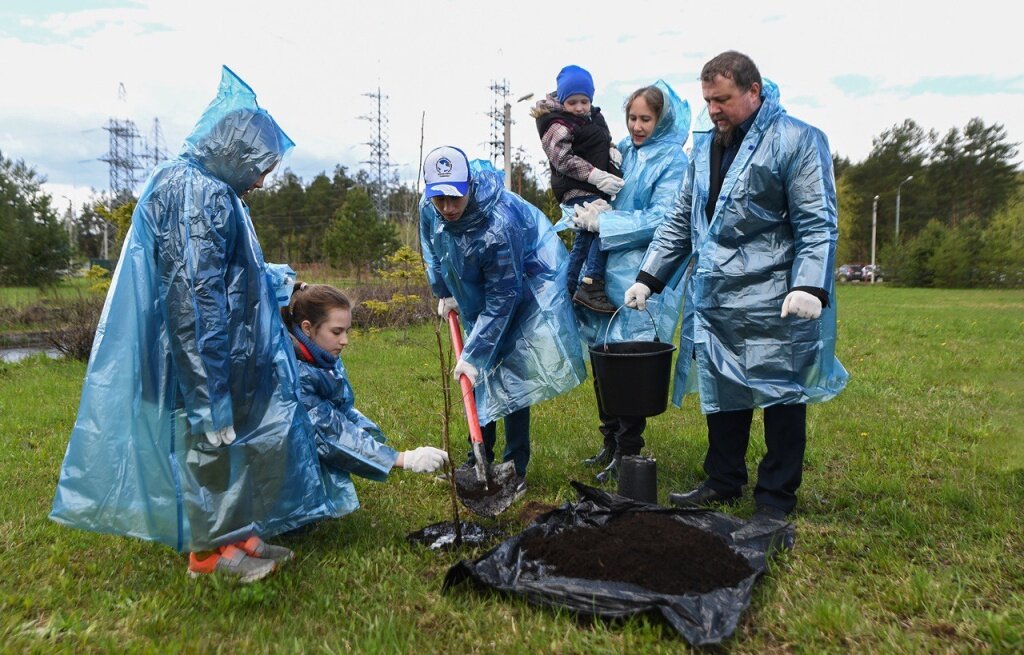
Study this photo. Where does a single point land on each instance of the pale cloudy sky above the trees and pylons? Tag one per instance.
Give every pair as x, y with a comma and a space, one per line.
854, 71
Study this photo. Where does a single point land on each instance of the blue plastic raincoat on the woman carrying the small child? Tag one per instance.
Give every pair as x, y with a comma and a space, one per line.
654, 176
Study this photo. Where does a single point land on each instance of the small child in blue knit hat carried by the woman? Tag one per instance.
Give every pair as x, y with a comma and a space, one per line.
585, 173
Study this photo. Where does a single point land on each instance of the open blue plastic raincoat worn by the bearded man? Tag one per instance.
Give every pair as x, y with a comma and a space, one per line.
774, 229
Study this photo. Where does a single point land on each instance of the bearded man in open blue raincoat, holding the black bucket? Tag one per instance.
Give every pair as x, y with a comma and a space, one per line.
759, 216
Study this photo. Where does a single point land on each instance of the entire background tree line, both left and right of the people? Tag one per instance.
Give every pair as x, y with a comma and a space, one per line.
961, 219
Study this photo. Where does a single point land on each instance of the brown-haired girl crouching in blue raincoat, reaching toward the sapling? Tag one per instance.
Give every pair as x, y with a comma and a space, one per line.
319, 319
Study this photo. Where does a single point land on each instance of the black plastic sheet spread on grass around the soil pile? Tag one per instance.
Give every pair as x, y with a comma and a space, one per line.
700, 619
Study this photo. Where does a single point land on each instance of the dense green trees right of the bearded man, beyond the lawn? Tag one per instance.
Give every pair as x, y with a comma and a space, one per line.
961, 216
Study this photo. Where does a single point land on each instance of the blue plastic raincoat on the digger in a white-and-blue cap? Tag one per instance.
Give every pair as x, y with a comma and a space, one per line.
506, 268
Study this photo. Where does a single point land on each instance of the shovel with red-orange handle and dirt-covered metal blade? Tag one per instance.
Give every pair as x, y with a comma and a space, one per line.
485, 491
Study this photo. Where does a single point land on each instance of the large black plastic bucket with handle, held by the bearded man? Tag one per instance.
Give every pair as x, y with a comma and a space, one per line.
632, 377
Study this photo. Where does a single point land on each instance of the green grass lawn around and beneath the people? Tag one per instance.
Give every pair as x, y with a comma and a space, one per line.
909, 532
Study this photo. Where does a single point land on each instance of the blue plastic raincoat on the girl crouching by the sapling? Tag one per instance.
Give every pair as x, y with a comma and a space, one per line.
348, 443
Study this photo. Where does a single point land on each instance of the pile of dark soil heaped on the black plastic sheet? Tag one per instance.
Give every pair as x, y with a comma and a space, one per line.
650, 550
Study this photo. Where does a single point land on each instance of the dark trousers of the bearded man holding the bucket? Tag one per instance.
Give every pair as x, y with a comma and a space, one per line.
781, 471
